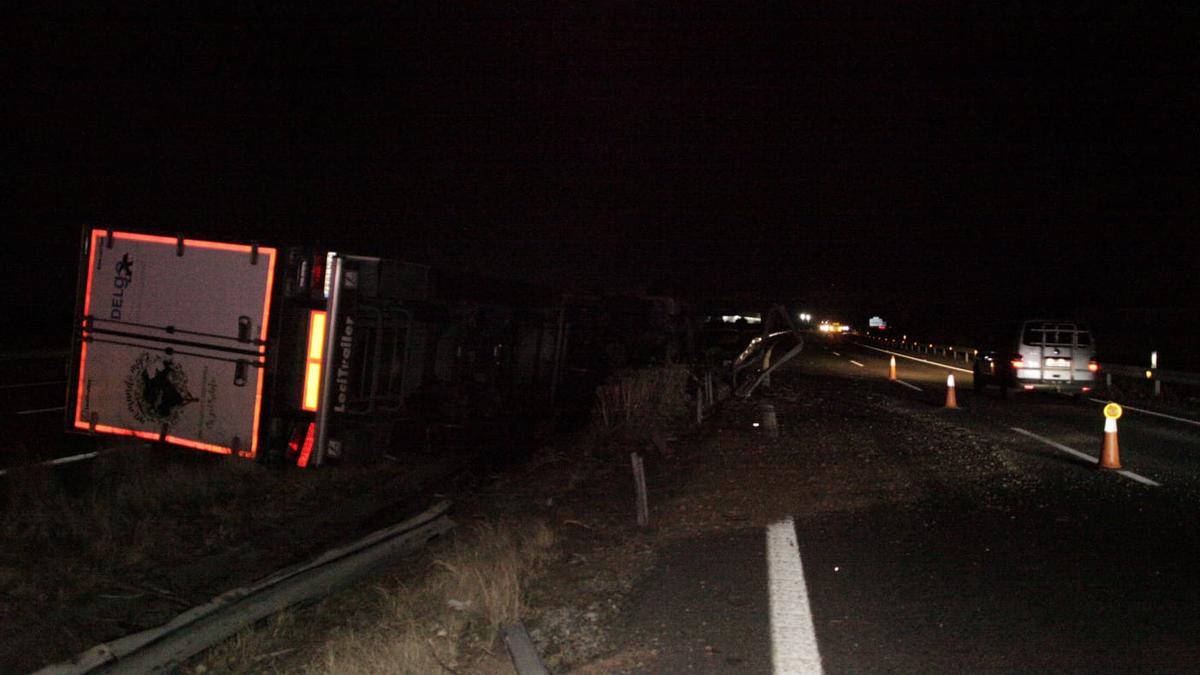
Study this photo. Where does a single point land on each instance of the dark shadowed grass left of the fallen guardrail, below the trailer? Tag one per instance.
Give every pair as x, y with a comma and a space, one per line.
81, 546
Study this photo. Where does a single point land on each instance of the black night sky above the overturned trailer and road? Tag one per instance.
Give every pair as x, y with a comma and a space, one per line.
890, 159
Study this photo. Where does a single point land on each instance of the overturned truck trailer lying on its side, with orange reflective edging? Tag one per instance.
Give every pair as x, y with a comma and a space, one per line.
299, 354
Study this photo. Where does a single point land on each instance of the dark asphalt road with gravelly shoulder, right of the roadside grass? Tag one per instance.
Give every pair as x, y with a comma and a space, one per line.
914, 561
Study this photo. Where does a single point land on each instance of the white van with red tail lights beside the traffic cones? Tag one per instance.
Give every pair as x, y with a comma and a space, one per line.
1039, 355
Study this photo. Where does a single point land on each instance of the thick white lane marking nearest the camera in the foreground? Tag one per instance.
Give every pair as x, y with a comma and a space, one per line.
794, 640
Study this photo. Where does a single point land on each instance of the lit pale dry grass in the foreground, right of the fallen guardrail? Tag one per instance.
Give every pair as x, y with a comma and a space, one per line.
445, 622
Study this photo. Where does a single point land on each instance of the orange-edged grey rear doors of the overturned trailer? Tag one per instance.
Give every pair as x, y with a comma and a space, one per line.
173, 341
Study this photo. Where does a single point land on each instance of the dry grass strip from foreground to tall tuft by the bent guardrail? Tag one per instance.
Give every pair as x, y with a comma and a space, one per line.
447, 616
